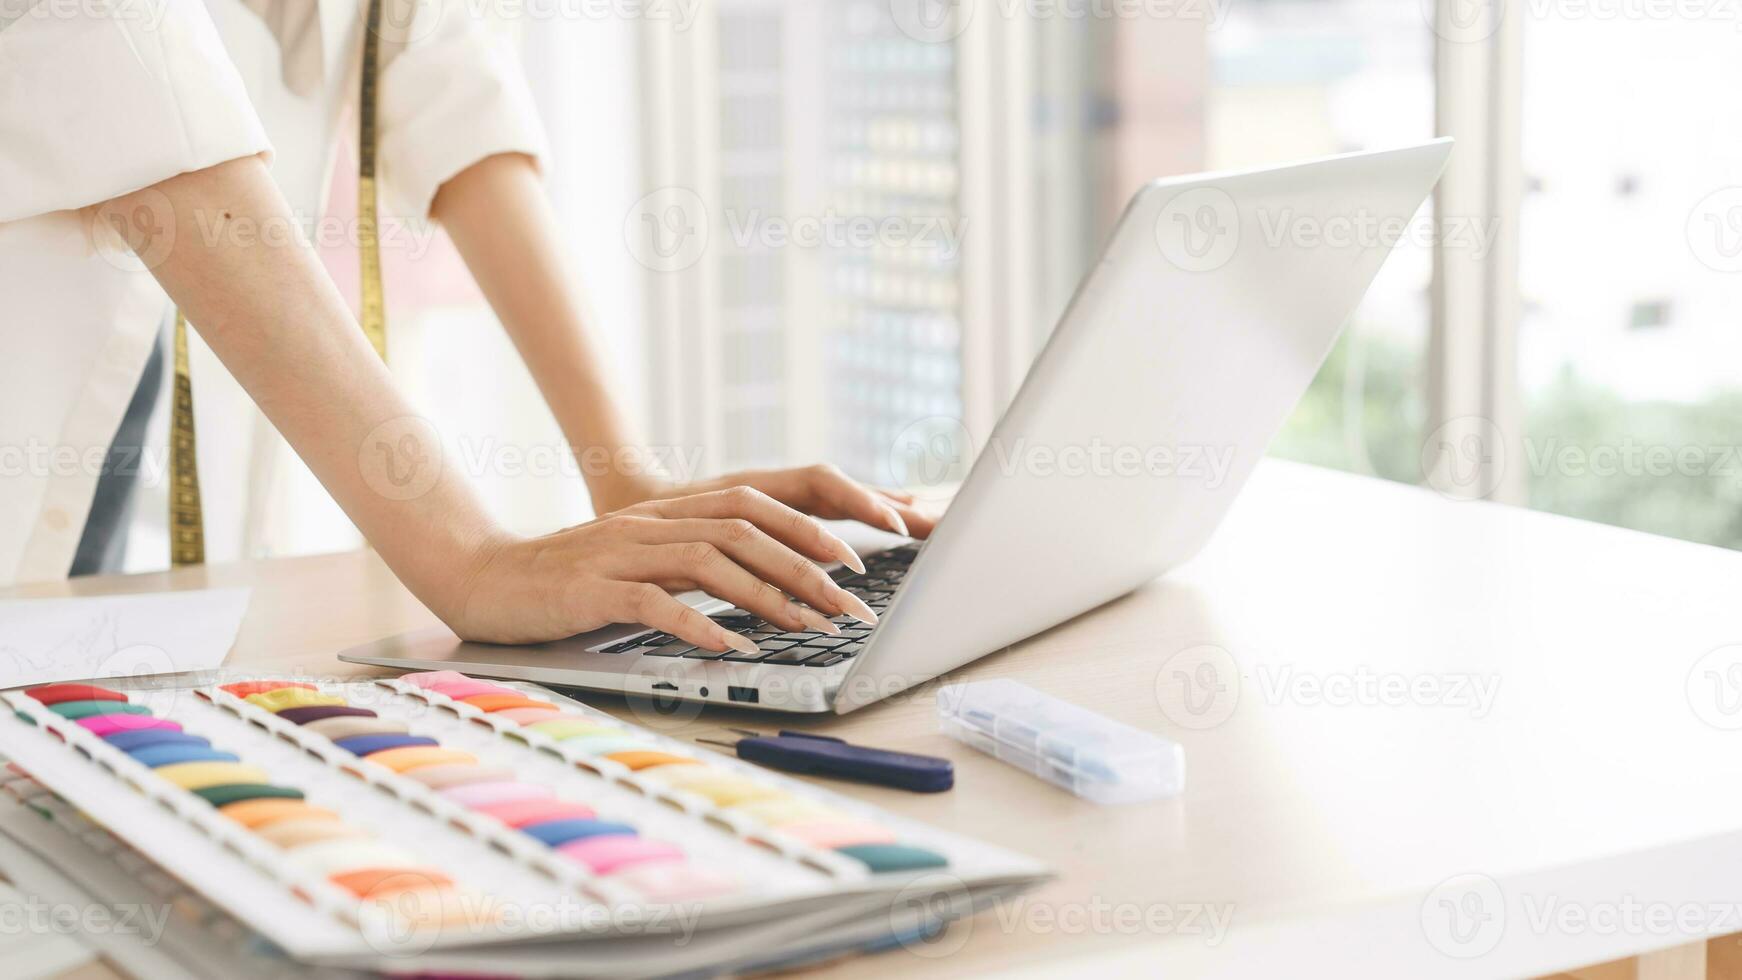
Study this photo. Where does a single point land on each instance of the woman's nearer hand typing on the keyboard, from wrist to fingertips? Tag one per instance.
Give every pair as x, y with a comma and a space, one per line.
734, 544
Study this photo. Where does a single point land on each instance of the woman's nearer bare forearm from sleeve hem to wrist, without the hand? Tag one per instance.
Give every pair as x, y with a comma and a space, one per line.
227, 250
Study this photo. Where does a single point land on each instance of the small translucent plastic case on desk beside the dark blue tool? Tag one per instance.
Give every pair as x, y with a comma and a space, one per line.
1072, 748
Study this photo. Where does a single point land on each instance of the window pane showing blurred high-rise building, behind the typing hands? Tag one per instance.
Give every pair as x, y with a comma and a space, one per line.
837, 232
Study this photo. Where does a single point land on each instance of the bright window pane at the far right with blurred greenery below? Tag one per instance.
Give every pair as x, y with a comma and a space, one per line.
1631, 248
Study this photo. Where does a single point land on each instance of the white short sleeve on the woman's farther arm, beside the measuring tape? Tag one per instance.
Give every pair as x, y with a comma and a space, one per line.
452, 97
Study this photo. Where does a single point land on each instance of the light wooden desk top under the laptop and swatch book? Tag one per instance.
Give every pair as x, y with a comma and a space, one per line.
1379, 692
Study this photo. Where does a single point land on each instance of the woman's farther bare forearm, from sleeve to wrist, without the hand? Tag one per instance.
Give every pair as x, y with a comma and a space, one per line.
501, 220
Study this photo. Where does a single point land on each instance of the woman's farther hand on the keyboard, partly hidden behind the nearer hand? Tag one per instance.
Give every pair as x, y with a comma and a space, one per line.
821, 492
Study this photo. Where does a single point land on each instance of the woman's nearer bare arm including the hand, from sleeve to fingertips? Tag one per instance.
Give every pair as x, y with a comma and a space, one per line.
224, 245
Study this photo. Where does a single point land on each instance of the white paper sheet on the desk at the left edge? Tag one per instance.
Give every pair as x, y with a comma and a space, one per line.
118, 636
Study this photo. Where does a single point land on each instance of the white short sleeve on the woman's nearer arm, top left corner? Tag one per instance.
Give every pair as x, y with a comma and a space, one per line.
112, 100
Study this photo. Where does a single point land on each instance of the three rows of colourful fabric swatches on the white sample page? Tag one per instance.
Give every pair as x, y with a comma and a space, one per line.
316, 840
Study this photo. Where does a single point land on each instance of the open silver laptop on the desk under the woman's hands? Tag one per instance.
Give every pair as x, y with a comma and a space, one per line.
1182, 354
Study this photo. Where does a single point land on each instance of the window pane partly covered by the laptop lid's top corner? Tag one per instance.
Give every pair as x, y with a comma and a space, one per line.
1295, 79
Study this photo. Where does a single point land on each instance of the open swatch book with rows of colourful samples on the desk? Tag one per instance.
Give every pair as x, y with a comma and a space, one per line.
438, 822
